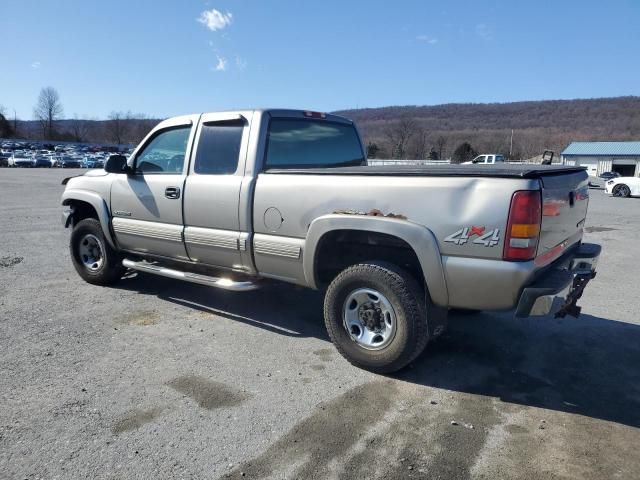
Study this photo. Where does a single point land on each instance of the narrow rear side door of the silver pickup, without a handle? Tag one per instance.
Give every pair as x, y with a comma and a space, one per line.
212, 191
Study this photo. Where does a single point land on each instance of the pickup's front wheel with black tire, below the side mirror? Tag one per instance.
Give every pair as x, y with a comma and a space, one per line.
105, 270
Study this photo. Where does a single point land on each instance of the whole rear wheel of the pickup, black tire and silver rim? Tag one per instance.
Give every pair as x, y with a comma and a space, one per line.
375, 315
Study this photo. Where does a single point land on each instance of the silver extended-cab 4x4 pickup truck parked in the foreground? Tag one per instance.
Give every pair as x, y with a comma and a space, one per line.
234, 199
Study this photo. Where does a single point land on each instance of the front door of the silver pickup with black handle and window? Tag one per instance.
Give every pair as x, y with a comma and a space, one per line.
146, 204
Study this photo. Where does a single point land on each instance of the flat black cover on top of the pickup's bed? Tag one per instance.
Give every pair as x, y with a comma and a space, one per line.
507, 171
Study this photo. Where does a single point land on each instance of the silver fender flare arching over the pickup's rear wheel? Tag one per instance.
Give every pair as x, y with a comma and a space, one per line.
418, 237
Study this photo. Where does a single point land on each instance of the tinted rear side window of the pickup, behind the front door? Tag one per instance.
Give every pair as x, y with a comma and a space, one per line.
219, 148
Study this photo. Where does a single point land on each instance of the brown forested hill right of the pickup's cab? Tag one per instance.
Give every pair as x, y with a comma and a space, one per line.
536, 124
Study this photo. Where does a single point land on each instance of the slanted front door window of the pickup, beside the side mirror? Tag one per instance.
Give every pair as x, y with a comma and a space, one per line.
165, 152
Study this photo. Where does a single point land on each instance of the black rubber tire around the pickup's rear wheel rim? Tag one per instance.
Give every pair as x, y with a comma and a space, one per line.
406, 297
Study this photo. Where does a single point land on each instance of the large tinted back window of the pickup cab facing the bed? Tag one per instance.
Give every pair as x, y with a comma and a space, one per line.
294, 143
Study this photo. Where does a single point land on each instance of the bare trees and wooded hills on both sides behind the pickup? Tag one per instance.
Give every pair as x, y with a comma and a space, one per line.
518, 130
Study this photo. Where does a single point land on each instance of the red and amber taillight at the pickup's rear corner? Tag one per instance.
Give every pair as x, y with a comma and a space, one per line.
523, 226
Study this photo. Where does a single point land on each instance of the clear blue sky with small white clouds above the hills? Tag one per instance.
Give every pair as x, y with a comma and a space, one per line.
165, 58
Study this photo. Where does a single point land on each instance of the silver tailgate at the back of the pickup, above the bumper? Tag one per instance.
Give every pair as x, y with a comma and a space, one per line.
565, 197
